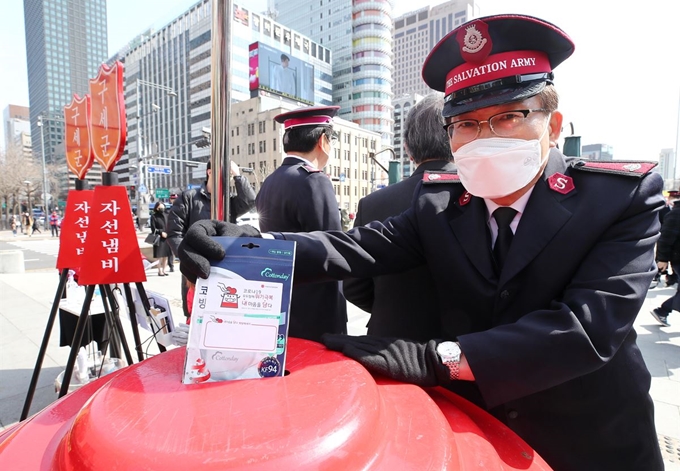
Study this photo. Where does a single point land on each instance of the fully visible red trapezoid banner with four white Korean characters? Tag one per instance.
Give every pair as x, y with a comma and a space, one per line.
112, 249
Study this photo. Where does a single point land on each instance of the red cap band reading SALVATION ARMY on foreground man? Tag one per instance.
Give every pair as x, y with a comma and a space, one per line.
497, 66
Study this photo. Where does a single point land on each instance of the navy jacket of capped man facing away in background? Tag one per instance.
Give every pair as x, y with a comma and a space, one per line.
298, 198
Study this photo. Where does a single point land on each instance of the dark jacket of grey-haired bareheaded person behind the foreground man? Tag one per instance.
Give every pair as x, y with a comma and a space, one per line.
403, 303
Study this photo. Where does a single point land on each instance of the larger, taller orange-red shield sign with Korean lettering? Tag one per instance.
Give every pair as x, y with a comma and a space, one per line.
107, 120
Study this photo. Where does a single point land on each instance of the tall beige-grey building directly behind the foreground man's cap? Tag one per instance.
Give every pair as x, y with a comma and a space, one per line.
415, 35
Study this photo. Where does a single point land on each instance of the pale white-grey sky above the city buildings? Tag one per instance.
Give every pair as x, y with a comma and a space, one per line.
621, 87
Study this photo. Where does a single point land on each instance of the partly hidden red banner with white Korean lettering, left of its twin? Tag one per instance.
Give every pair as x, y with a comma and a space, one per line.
74, 229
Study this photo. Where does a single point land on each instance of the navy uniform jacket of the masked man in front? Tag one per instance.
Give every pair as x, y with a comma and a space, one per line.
551, 341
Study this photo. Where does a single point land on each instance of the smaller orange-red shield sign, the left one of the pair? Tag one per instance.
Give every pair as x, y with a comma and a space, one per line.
79, 156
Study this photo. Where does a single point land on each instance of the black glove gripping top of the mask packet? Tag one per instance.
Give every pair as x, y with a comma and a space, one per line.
198, 247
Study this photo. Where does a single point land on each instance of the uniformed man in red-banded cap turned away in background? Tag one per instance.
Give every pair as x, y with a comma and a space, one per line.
299, 197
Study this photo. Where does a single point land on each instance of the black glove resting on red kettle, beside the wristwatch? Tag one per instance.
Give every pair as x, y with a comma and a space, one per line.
402, 360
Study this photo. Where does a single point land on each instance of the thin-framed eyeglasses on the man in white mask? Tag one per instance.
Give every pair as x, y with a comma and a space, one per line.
505, 124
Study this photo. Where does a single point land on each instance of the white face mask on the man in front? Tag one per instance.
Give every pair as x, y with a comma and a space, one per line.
499, 166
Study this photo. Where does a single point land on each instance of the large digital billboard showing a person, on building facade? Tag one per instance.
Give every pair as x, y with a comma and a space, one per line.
276, 71
